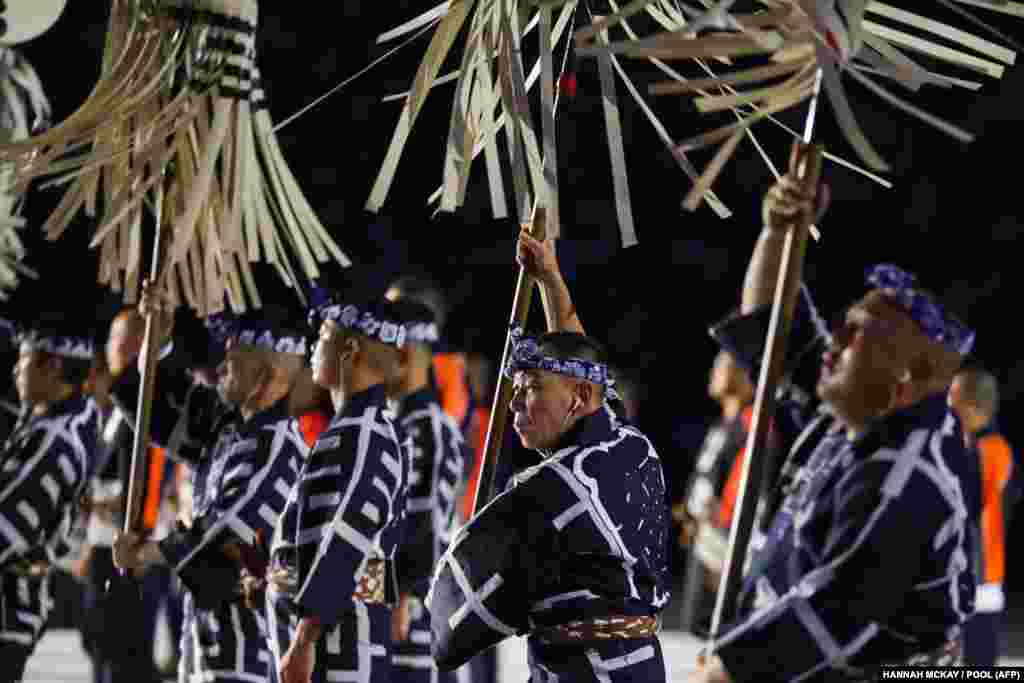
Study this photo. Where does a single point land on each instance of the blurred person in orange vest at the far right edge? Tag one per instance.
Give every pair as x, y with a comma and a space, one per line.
975, 397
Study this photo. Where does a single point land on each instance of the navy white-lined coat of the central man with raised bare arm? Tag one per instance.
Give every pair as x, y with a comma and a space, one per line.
583, 536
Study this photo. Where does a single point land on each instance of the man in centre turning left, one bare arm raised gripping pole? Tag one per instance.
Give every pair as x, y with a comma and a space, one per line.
575, 551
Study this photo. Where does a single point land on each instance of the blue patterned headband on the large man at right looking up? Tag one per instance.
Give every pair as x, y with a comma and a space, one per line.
936, 323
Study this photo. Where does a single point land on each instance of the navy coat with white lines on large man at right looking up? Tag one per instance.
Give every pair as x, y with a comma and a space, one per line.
865, 561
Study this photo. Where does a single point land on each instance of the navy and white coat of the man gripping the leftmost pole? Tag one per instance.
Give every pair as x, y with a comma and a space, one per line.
242, 475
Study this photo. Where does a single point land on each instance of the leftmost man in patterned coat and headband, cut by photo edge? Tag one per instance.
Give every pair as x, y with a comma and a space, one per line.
47, 464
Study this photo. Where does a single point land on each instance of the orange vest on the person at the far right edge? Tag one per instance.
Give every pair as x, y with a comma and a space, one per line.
997, 463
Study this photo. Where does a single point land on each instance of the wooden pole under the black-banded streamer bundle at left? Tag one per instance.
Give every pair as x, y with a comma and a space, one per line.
144, 409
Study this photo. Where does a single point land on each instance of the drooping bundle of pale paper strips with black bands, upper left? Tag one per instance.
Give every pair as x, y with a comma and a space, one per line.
179, 118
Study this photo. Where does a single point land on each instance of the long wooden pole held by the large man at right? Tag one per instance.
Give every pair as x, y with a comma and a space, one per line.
784, 307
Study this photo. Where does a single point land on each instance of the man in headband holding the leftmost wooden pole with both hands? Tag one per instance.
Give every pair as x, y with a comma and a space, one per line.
245, 450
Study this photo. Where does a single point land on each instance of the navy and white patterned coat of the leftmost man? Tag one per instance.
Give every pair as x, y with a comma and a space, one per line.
45, 466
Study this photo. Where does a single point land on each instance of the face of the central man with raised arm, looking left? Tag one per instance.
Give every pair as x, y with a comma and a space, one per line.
543, 406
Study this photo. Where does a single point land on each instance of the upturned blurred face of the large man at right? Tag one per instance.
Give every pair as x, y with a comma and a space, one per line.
865, 362
